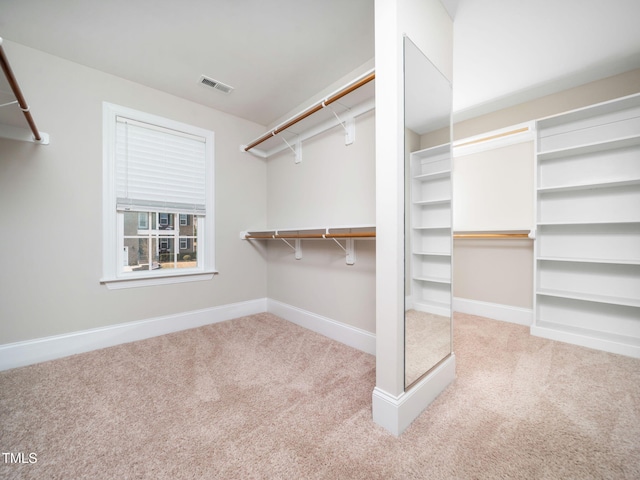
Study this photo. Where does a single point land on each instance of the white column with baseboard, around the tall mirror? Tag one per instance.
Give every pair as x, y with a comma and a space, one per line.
429, 26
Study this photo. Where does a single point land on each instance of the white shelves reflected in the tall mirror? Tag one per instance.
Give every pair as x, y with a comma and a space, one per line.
430, 227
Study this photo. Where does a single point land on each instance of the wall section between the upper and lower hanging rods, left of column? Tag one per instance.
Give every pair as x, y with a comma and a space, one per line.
333, 185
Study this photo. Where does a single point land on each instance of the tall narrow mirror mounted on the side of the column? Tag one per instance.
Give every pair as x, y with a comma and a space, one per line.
428, 239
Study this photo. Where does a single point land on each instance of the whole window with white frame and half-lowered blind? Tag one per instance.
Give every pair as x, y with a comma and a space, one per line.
158, 195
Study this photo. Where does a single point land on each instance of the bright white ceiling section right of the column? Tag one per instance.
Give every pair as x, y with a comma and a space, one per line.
510, 51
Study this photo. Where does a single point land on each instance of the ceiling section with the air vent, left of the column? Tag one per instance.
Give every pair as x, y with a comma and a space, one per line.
276, 53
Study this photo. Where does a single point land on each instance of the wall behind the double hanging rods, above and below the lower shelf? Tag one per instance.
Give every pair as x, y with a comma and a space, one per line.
334, 185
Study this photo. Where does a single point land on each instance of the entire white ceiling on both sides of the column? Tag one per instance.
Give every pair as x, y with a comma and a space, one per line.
279, 53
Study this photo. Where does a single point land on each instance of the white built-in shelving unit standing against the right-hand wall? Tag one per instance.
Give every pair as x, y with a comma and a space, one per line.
587, 286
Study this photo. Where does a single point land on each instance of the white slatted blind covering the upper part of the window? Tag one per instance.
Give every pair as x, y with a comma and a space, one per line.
159, 169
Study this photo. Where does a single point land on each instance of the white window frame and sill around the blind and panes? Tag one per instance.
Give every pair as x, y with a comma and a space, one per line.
114, 276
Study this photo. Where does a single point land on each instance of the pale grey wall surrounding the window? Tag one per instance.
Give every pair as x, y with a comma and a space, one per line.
51, 199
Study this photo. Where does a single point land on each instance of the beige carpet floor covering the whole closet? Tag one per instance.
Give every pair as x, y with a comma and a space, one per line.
261, 398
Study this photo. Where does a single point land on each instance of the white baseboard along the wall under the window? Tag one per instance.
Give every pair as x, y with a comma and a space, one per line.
19, 354
